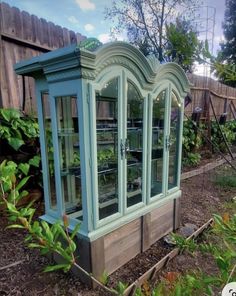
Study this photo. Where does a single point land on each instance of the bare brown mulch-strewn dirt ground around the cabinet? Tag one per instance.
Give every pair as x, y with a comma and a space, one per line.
200, 199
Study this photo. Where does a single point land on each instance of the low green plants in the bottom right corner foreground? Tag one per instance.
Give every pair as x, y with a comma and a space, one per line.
223, 253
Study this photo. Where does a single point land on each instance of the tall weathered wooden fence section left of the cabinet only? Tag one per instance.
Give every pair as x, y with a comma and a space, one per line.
23, 36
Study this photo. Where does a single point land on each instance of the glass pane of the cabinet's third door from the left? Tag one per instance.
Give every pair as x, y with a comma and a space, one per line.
158, 116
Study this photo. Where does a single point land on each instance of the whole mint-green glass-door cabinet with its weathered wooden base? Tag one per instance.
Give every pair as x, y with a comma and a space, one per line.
111, 135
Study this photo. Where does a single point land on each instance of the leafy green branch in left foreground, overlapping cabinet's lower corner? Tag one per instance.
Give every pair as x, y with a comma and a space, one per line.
40, 235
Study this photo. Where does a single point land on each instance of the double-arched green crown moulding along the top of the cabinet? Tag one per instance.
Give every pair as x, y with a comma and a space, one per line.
73, 63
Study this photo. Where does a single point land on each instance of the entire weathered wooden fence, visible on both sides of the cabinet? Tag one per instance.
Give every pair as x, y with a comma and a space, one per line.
23, 35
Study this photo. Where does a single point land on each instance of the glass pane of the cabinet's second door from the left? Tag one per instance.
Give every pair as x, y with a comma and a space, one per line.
134, 145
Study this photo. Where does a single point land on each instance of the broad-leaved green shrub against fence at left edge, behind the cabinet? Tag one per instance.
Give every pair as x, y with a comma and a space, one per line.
16, 129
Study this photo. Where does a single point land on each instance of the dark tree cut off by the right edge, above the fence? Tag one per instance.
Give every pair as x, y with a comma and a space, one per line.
226, 60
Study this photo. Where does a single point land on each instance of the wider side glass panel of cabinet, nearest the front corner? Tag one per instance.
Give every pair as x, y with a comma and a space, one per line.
68, 139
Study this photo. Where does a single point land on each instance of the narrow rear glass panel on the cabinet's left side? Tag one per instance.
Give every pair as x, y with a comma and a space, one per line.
49, 150
